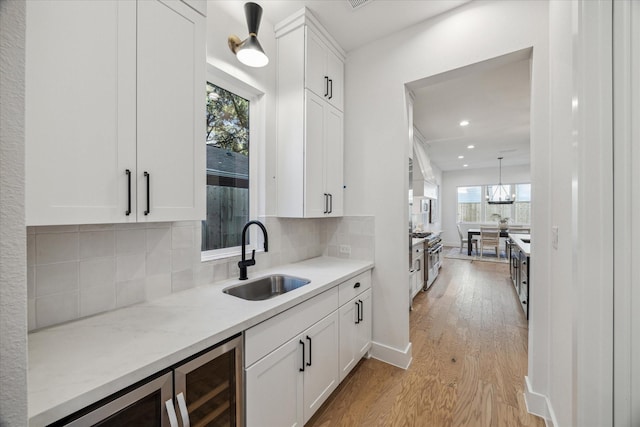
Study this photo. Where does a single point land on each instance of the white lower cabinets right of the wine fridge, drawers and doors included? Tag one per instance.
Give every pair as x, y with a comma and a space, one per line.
295, 360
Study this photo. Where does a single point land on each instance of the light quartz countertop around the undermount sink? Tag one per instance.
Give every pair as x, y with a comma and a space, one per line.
76, 364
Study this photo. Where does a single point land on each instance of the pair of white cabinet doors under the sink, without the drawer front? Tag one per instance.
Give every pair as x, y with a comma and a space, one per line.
286, 387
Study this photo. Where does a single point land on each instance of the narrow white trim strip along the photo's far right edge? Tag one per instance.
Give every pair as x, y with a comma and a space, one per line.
626, 27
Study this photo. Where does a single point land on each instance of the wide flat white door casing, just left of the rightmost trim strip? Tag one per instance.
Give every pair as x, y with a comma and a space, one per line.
592, 170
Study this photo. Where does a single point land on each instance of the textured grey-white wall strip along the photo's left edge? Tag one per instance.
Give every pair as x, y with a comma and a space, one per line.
13, 298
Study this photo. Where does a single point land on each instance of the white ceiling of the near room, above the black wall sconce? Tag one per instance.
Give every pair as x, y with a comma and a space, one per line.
352, 28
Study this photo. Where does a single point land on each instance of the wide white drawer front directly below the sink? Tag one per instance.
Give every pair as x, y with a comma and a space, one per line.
270, 334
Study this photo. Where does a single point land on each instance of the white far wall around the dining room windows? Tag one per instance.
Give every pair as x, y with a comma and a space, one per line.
453, 179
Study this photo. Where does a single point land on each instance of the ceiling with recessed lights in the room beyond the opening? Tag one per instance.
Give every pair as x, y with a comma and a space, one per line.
494, 96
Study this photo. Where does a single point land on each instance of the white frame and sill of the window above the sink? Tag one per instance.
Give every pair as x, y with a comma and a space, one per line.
256, 142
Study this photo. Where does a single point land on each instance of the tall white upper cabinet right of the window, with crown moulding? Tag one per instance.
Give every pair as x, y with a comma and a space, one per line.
310, 72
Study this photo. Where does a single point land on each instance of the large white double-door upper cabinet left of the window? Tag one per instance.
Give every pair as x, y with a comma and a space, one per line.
113, 90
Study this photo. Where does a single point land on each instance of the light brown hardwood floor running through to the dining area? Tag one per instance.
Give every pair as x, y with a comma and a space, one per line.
469, 338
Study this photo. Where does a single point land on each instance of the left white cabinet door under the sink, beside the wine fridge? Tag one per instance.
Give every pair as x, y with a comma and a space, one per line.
274, 388
